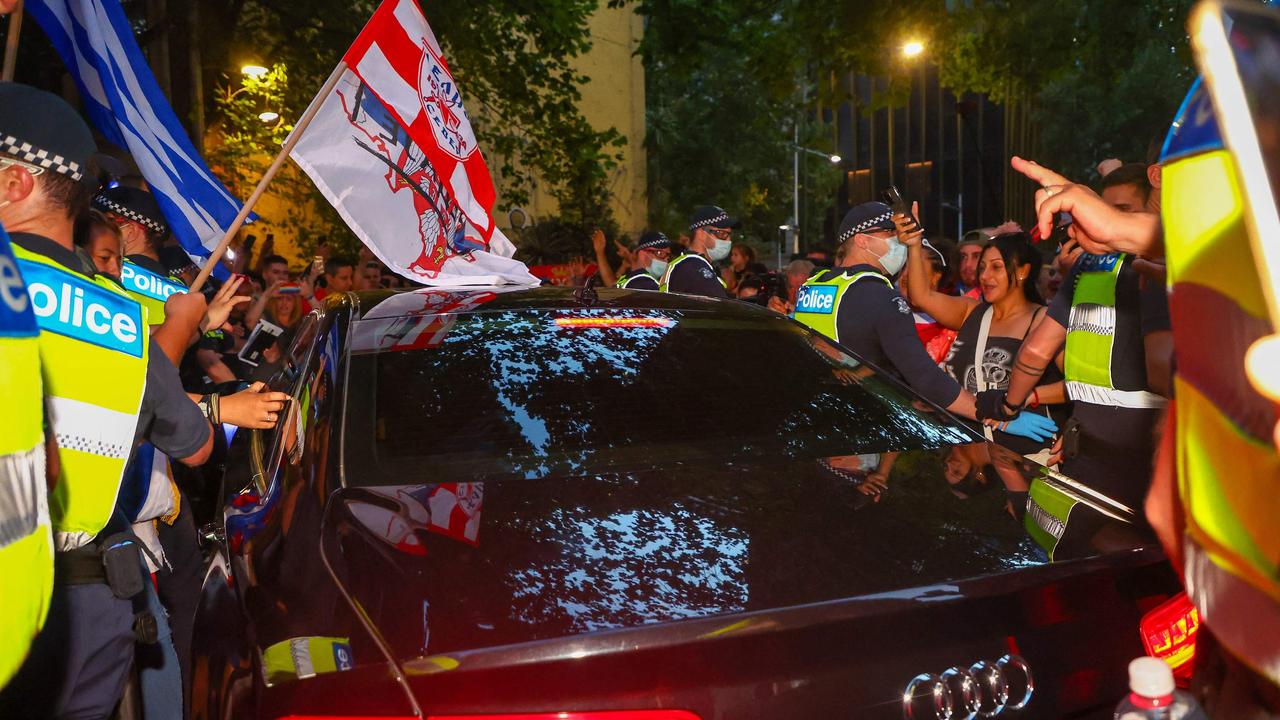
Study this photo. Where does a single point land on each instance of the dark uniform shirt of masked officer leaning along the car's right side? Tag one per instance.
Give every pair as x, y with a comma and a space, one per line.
876, 323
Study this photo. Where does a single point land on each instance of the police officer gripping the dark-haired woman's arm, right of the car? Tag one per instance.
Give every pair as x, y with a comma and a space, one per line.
1113, 326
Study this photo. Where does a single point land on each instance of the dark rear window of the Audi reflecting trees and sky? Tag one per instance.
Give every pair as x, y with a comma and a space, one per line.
532, 394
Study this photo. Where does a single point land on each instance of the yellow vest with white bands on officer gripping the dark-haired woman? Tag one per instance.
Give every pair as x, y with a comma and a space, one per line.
1091, 338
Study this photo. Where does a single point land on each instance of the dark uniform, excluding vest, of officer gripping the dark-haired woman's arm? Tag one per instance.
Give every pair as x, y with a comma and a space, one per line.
1117, 445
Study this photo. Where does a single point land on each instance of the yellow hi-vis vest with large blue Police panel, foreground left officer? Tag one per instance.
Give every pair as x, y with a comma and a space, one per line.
94, 356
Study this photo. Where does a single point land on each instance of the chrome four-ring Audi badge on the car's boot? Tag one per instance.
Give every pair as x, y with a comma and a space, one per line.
985, 690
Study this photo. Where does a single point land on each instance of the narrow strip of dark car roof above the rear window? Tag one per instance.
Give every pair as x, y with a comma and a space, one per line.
435, 300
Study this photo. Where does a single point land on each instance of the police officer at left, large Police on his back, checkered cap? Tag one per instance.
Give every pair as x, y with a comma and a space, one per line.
107, 389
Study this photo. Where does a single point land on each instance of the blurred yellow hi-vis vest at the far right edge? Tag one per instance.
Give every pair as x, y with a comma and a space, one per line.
1228, 470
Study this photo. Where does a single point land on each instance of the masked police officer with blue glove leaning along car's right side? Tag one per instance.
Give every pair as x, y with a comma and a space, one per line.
858, 307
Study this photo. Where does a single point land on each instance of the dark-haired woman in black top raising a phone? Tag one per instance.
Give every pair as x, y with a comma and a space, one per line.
991, 330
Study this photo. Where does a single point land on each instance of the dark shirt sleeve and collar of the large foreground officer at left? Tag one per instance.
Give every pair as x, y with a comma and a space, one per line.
167, 418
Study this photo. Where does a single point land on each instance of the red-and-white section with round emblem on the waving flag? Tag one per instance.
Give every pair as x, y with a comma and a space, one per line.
400, 60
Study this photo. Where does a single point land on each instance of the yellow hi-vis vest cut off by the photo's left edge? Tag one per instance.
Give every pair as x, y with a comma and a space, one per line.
26, 544
